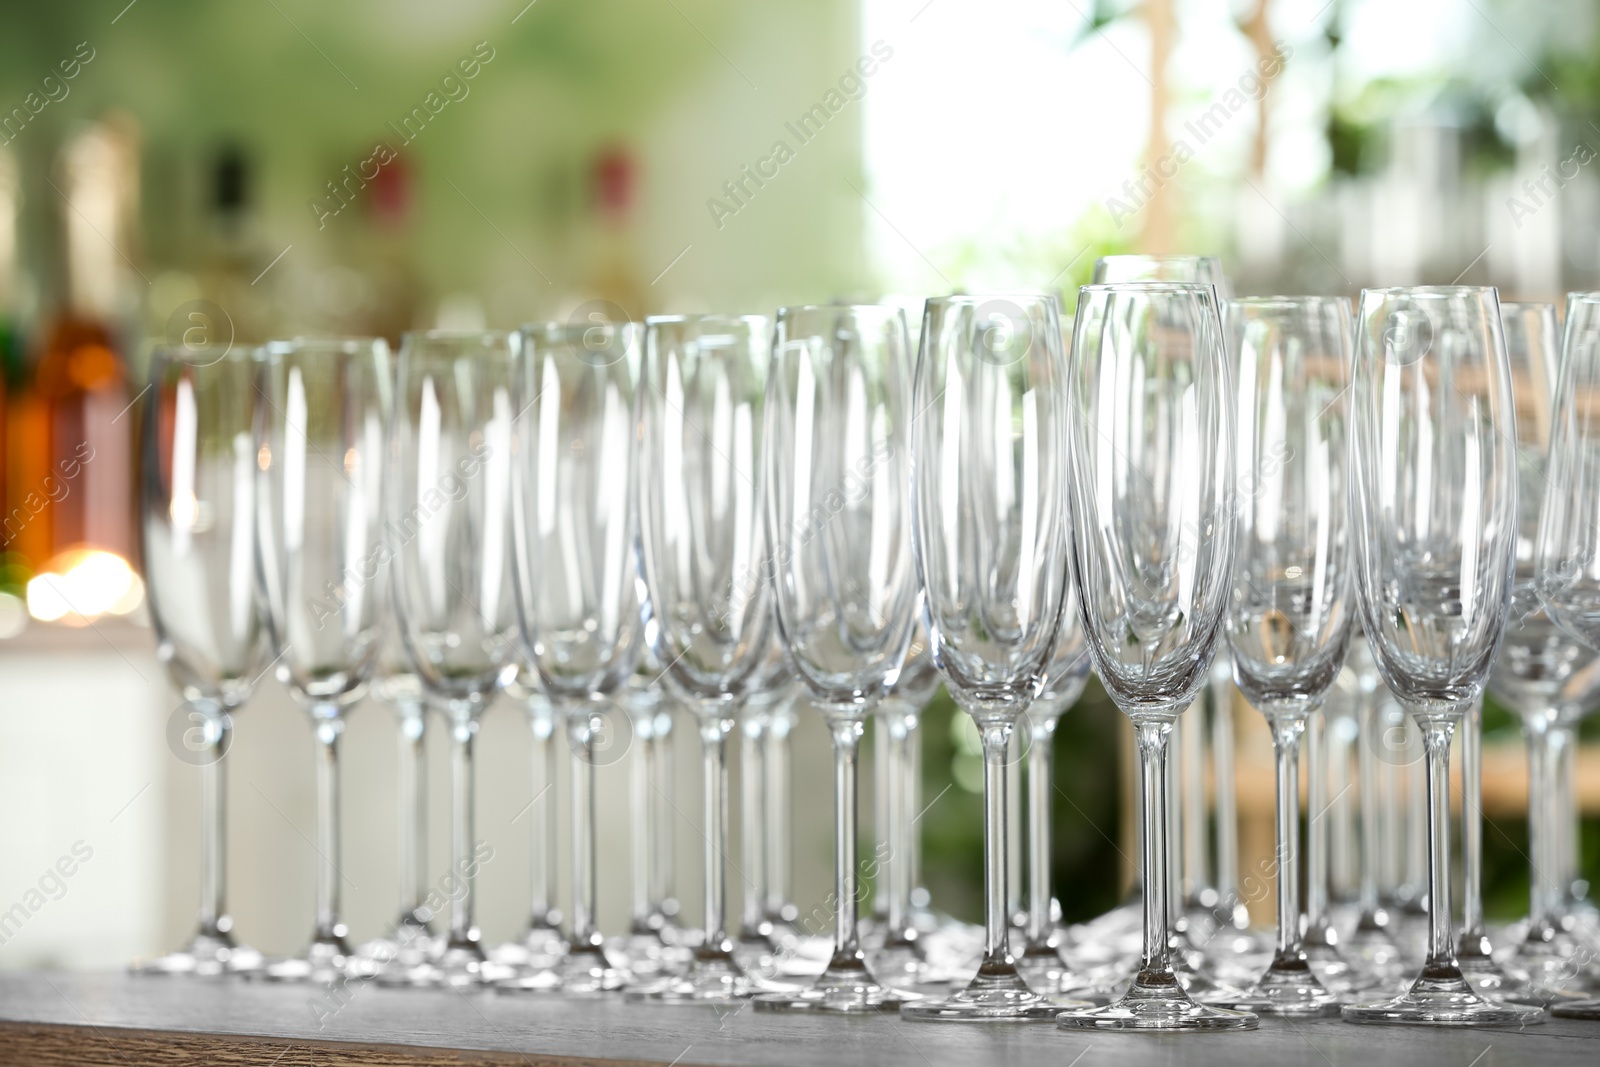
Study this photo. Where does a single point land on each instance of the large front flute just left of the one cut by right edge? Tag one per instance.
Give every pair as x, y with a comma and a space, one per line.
1434, 498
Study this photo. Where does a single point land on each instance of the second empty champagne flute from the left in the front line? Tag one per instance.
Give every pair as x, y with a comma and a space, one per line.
322, 468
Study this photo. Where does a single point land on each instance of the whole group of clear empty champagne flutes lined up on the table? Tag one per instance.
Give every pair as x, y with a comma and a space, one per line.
567, 500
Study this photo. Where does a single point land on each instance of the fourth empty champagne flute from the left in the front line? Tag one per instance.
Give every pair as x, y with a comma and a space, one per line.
575, 559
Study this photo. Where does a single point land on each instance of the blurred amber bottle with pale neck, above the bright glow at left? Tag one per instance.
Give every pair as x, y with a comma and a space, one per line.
74, 442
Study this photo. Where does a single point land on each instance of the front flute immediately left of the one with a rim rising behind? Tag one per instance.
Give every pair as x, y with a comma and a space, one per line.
990, 533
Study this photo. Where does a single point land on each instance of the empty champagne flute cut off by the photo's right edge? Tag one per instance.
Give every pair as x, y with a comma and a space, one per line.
1567, 564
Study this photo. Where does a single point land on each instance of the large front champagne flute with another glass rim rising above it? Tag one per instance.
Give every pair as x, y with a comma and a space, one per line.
1153, 546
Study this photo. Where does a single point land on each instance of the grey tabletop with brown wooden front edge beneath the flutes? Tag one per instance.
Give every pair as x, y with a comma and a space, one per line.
122, 1020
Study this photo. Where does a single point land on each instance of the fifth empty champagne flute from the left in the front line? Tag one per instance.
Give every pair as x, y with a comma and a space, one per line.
703, 551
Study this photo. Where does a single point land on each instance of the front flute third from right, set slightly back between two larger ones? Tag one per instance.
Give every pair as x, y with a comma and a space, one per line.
1289, 621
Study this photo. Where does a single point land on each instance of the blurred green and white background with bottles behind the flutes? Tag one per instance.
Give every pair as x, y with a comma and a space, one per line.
183, 170
